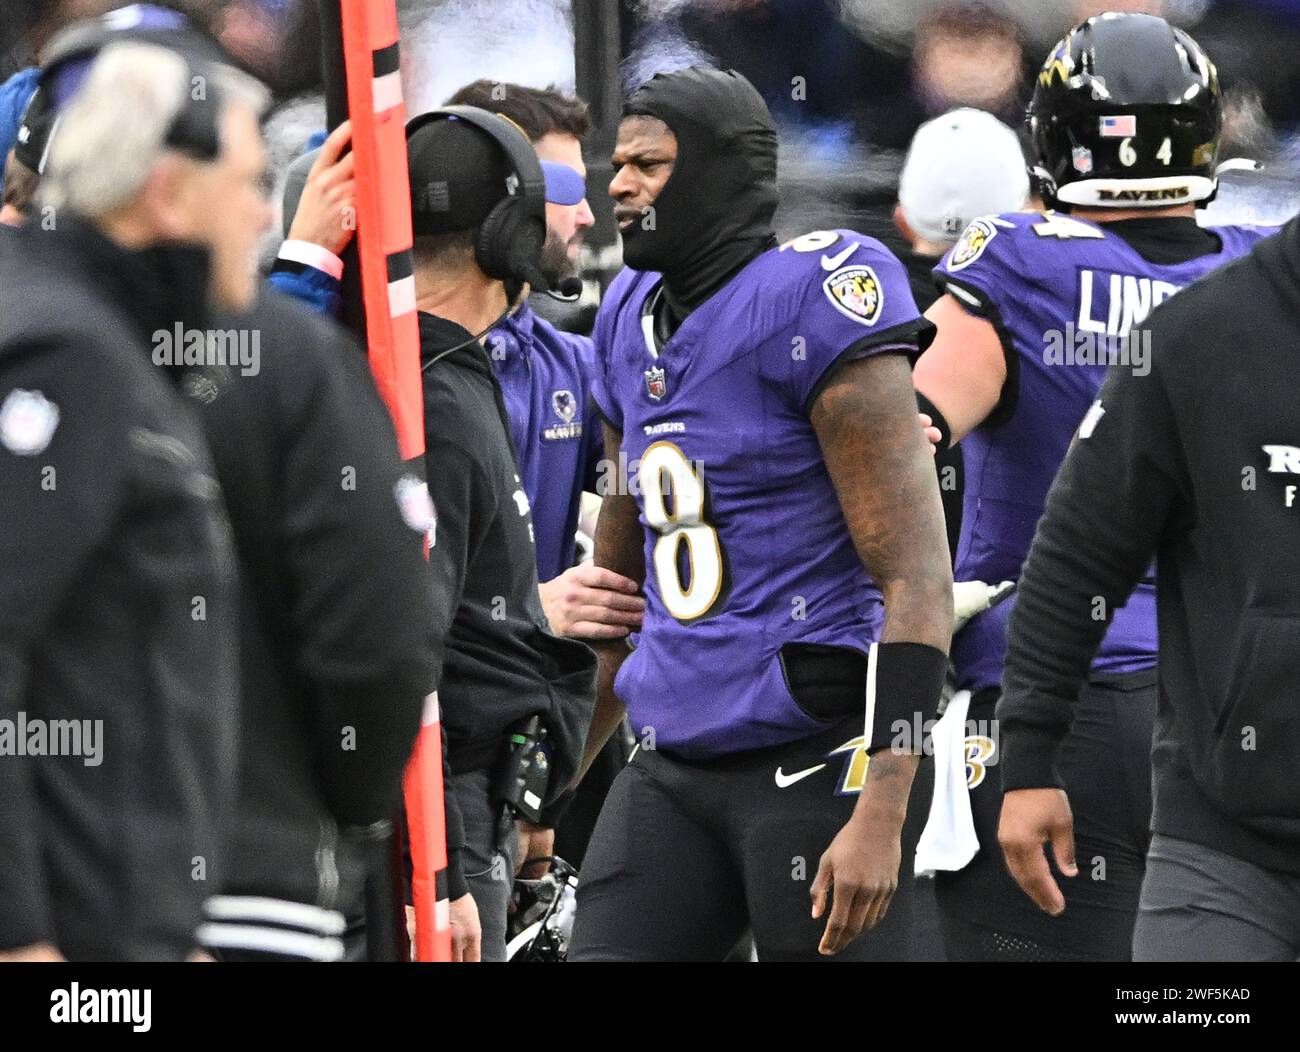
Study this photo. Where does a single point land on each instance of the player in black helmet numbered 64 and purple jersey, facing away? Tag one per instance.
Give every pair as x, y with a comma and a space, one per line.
1125, 120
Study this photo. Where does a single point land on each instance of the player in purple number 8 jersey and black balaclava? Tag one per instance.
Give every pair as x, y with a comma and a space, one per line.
779, 505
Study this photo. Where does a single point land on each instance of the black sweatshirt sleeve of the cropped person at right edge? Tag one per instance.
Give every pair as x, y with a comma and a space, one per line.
1120, 488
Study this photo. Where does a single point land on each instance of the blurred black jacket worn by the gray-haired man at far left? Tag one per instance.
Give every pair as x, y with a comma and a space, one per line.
118, 605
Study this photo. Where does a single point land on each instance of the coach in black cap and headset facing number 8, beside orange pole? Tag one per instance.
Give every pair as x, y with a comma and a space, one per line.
515, 699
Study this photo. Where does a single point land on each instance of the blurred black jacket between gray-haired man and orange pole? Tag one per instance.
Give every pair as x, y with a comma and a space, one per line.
339, 642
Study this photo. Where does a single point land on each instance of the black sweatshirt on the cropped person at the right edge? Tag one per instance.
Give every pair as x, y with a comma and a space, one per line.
1197, 464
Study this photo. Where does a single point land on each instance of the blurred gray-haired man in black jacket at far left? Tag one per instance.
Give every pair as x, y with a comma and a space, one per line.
119, 720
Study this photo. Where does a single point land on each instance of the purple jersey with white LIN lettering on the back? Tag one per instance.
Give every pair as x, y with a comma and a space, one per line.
1064, 295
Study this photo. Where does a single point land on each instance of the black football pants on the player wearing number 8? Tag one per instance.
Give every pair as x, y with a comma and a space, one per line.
686, 858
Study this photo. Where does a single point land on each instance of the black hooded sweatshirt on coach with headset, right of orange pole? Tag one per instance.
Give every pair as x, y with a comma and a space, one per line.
502, 663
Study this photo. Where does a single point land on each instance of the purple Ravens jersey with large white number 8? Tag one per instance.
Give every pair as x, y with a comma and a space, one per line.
747, 548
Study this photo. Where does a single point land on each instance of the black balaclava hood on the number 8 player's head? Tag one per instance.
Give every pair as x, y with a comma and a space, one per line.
716, 213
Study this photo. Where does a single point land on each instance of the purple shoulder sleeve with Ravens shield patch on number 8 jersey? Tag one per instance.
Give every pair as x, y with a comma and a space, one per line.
853, 301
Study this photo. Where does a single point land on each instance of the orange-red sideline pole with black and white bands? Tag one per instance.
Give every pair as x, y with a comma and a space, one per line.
388, 291
